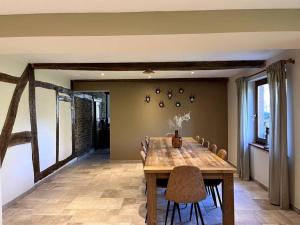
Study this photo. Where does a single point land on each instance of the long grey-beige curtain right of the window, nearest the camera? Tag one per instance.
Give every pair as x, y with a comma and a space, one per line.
279, 179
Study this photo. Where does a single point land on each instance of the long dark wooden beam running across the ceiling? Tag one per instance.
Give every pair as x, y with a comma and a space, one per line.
161, 66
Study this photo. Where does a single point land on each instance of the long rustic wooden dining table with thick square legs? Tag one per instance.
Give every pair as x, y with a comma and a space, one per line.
162, 158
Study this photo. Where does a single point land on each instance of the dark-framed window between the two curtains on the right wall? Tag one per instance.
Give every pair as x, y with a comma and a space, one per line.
262, 111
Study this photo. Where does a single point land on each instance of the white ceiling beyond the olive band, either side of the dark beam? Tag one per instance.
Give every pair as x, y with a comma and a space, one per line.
149, 48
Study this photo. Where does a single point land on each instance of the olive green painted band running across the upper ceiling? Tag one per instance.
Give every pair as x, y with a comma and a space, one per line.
149, 23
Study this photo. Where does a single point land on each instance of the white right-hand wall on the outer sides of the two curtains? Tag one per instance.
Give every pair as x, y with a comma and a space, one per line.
293, 123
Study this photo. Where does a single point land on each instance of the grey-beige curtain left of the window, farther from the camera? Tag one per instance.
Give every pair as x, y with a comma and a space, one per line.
243, 140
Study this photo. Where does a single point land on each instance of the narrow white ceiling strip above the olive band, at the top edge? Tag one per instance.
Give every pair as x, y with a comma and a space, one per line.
69, 6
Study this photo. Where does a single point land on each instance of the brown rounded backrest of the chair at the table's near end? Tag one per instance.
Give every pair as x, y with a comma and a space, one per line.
186, 185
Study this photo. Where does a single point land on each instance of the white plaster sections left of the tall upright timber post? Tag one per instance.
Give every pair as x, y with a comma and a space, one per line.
16, 171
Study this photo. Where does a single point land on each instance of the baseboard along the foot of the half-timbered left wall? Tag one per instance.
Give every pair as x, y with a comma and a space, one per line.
14, 201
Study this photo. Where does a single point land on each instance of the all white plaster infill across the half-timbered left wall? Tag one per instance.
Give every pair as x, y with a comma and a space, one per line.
17, 170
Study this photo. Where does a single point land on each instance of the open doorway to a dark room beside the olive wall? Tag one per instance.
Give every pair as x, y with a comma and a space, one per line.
92, 123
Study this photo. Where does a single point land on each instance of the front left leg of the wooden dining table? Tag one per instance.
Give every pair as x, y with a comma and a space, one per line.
151, 199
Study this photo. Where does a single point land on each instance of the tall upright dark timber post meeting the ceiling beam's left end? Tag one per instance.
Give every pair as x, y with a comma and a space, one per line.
33, 122
